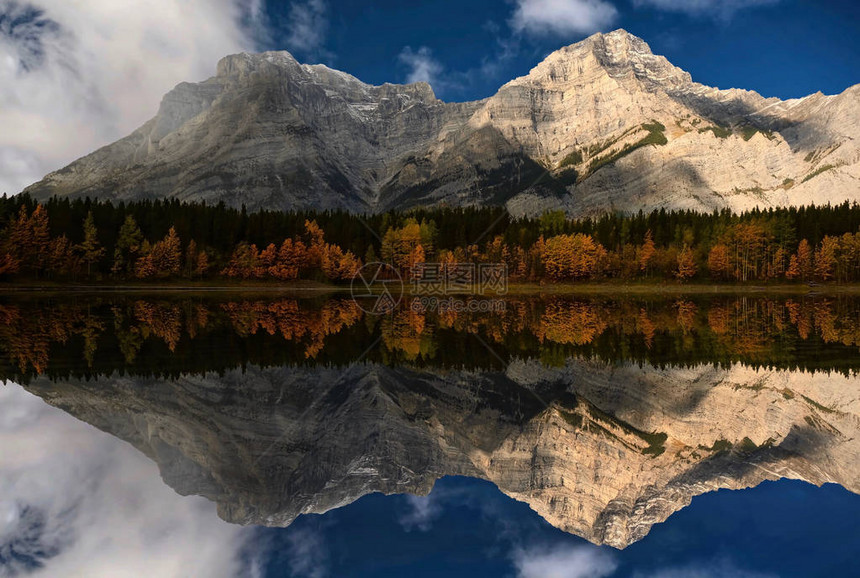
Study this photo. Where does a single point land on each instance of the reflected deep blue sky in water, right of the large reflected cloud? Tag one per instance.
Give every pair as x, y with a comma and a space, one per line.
467, 527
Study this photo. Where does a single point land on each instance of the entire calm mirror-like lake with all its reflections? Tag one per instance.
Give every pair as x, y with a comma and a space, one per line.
536, 436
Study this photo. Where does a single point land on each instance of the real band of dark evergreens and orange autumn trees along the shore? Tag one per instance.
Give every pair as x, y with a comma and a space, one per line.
97, 241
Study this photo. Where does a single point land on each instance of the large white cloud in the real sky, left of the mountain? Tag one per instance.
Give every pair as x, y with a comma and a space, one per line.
77, 75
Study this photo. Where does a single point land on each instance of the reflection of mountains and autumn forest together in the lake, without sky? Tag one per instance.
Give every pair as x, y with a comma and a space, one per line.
604, 416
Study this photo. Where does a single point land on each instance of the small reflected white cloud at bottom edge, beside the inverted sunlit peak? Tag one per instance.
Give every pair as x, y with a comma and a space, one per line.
564, 562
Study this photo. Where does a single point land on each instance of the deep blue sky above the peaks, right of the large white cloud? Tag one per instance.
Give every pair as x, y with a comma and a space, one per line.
468, 48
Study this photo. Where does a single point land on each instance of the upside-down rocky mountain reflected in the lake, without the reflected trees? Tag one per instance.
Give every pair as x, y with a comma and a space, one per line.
604, 451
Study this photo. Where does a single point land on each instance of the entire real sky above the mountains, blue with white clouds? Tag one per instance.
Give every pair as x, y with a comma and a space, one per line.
77, 75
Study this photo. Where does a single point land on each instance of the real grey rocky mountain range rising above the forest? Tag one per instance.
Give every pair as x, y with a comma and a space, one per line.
603, 124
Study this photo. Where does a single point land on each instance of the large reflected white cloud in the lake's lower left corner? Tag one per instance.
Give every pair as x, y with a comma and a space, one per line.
97, 507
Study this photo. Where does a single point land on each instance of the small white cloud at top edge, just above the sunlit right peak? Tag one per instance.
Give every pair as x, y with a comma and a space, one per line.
562, 17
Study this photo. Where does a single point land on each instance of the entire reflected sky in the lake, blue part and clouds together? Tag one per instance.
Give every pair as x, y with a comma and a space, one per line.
75, 501
